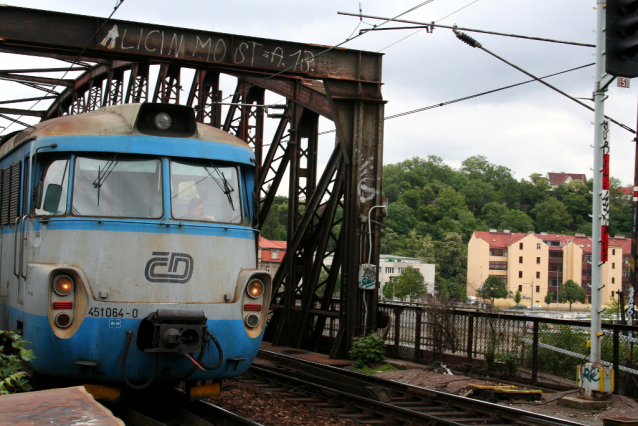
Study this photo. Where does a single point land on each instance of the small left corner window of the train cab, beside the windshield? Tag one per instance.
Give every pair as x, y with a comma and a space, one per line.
51, 192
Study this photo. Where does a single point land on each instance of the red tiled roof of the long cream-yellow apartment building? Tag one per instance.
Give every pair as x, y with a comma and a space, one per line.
502, 240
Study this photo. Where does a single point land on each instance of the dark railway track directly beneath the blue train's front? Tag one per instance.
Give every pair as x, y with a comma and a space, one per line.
169, 407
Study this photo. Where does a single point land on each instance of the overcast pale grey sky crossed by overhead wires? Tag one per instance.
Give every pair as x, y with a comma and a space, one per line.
529, 129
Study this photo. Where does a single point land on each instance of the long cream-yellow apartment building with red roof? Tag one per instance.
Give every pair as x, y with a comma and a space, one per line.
535, 264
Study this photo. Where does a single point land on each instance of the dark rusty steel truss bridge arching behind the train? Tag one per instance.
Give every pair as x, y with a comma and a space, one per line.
127, 62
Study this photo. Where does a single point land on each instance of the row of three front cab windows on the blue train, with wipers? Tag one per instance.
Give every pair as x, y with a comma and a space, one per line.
115, 186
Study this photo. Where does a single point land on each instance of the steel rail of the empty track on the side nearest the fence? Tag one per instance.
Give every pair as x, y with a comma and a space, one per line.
361, 383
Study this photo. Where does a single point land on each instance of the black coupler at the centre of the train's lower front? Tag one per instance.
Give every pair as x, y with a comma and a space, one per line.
172, 331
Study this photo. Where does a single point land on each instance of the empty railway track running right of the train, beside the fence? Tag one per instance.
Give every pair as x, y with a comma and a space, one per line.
371, 400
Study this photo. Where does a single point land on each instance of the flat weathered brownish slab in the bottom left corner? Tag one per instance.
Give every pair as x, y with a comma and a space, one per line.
64, 406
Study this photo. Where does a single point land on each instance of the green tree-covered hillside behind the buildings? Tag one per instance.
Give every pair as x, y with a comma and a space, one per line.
433, 210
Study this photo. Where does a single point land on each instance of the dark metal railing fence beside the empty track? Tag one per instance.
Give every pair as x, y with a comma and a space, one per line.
542, 349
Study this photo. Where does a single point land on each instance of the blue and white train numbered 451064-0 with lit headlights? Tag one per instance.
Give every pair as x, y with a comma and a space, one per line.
128, 252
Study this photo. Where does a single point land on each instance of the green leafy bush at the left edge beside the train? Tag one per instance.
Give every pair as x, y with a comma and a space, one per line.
12, 352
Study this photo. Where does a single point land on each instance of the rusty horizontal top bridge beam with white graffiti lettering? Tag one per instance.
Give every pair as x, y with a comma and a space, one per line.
43, 32
